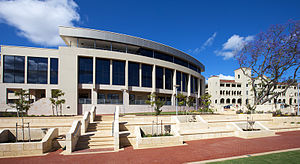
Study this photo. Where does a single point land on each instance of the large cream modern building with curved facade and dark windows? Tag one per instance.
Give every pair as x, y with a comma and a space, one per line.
99, 68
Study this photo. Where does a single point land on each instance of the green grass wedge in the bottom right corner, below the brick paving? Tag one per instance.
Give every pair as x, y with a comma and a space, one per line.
284, 157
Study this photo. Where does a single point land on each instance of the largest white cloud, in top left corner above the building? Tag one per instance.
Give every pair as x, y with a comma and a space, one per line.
38, 20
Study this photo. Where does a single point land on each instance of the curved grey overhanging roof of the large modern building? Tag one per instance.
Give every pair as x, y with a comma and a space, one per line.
126, 39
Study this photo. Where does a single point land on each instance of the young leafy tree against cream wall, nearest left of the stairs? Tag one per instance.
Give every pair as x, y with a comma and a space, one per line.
57, 101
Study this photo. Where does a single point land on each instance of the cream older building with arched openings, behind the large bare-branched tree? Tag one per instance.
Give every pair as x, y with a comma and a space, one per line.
237, 93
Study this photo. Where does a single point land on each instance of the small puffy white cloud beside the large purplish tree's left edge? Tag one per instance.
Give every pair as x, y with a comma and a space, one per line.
234, 44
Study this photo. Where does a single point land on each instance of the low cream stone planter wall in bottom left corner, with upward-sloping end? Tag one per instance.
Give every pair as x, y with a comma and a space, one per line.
29, 148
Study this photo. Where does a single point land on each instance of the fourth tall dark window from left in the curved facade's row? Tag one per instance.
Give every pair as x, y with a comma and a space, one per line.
133, 74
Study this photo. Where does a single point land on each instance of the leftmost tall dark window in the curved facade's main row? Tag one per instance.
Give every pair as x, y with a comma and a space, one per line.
85, 70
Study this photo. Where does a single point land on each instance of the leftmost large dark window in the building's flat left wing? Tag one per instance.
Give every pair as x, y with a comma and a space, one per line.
13, 69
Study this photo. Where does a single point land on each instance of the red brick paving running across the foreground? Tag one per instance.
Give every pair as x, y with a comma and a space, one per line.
195, 151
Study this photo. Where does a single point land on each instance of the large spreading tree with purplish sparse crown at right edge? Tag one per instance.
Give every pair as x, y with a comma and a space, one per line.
274, 58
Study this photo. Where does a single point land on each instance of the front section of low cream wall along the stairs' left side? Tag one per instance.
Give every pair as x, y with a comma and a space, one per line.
73, 136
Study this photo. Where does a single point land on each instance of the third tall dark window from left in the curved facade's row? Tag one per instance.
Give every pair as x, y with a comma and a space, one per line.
118, 72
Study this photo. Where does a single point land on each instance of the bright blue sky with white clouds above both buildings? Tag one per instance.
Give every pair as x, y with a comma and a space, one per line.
207, 30
